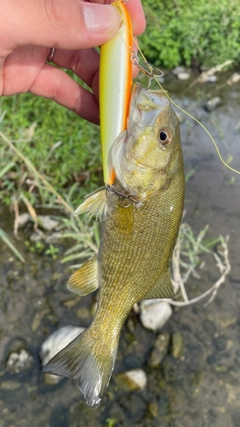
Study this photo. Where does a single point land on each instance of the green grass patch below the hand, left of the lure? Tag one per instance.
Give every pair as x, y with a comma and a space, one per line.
61, 145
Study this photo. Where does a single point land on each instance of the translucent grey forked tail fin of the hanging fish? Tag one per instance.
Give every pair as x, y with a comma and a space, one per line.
89, 361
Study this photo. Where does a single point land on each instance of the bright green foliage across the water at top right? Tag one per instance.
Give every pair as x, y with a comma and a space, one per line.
191, 32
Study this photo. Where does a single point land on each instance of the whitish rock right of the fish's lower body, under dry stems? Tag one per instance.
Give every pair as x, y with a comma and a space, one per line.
154, 314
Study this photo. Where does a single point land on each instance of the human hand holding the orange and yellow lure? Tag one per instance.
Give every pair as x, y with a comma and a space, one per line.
28, 31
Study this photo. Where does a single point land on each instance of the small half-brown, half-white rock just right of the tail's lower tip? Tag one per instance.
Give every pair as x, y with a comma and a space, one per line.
136, 379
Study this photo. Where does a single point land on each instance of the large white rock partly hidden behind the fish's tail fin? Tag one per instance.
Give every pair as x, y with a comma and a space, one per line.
55, 343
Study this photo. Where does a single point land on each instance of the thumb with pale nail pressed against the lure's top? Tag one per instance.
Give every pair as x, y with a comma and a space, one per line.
65, 24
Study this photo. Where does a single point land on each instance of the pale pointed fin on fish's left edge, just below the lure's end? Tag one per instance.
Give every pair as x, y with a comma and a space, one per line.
95, 204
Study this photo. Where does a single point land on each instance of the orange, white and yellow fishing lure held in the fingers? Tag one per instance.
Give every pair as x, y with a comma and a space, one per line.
115, 83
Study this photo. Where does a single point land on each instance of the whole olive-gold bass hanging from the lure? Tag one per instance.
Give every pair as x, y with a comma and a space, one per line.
141, 214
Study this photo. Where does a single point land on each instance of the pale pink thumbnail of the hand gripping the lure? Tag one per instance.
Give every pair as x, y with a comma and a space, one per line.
101, 18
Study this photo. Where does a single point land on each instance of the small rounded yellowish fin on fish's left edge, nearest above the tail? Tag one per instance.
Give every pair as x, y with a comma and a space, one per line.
84, 280
